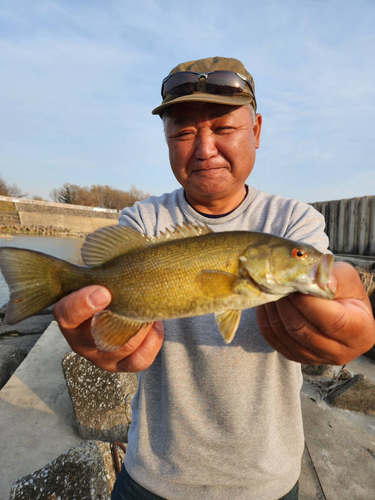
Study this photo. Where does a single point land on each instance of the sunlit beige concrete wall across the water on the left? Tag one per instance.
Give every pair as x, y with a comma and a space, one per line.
73, 217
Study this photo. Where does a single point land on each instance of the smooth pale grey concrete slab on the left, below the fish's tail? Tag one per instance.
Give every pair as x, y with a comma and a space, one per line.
36, 413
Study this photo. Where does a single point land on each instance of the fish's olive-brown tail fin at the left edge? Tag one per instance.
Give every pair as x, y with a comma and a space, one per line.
32, 279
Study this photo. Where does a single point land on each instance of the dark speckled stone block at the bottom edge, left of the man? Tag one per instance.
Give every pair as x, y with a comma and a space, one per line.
83, 472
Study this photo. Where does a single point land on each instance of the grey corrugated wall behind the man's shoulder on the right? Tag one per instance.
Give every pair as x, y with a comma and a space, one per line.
350, 224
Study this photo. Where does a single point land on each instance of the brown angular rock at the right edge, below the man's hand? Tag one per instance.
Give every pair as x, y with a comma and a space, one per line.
357, 394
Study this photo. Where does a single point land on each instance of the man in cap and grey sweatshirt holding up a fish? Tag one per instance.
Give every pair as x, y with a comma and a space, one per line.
212, 421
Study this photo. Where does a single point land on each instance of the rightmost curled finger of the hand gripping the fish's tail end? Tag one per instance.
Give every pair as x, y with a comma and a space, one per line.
142, 357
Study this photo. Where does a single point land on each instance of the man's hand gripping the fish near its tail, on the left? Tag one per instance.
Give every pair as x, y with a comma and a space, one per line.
74, 313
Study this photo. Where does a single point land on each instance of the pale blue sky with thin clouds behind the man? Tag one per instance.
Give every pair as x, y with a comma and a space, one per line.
78, 81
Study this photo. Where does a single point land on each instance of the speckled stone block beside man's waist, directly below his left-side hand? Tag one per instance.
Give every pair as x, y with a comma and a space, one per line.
101, 399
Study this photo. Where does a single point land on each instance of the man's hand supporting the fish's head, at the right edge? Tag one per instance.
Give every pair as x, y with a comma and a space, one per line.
317, 331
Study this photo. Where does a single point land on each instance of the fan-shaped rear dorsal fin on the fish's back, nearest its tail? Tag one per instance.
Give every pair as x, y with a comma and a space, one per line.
109, 242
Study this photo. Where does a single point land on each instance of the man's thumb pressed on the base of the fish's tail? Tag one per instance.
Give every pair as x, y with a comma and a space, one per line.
76, 308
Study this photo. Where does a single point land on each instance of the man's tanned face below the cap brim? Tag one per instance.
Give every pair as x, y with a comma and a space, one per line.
211, 149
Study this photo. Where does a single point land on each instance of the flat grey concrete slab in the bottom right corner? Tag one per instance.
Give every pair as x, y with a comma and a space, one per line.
342, 449
